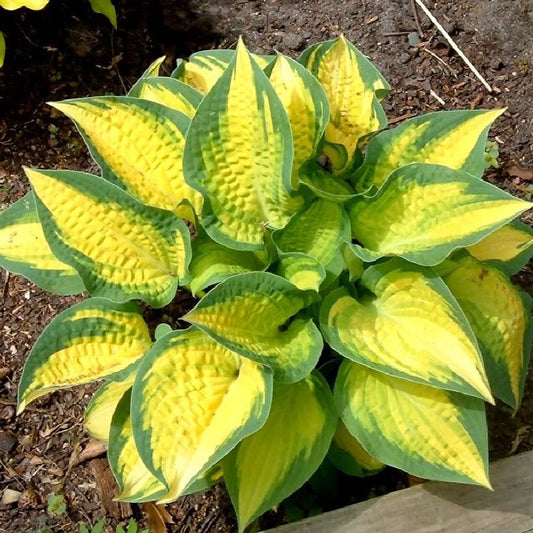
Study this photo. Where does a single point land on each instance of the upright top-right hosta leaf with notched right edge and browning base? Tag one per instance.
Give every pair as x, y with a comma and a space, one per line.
351, 83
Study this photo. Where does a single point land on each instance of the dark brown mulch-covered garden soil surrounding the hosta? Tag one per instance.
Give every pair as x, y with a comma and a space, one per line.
68, 51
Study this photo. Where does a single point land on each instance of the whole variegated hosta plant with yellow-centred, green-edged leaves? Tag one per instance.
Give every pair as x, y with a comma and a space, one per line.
353, 295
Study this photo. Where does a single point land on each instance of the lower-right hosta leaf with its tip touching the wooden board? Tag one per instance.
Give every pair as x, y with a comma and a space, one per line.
428, 432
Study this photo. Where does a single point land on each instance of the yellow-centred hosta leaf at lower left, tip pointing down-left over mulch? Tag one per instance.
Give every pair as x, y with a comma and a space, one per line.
91, 340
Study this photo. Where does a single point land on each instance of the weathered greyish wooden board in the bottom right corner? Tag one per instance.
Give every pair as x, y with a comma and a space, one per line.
440, 507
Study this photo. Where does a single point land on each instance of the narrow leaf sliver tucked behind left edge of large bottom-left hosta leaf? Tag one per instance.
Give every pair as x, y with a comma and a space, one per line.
136, 483
